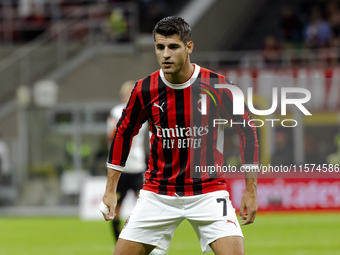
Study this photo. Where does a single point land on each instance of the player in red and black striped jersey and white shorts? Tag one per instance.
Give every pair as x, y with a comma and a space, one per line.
180, 102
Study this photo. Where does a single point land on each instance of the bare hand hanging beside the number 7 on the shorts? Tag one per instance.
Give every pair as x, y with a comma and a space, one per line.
248, 203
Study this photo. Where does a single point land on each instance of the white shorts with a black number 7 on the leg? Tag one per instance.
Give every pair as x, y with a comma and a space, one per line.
155, 217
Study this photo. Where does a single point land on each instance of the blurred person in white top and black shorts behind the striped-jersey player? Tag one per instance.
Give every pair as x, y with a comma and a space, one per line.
132, 177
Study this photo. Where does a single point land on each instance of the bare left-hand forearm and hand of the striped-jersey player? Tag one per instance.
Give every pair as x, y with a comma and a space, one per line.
110, 198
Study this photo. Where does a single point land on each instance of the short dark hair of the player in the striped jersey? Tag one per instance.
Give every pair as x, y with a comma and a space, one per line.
173, 25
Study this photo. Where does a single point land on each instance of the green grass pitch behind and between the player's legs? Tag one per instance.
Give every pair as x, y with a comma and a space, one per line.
274, 233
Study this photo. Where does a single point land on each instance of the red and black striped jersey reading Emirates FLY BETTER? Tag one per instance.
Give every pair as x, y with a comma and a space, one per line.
183, 137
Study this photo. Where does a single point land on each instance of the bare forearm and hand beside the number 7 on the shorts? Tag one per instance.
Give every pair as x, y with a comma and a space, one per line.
249, 199
